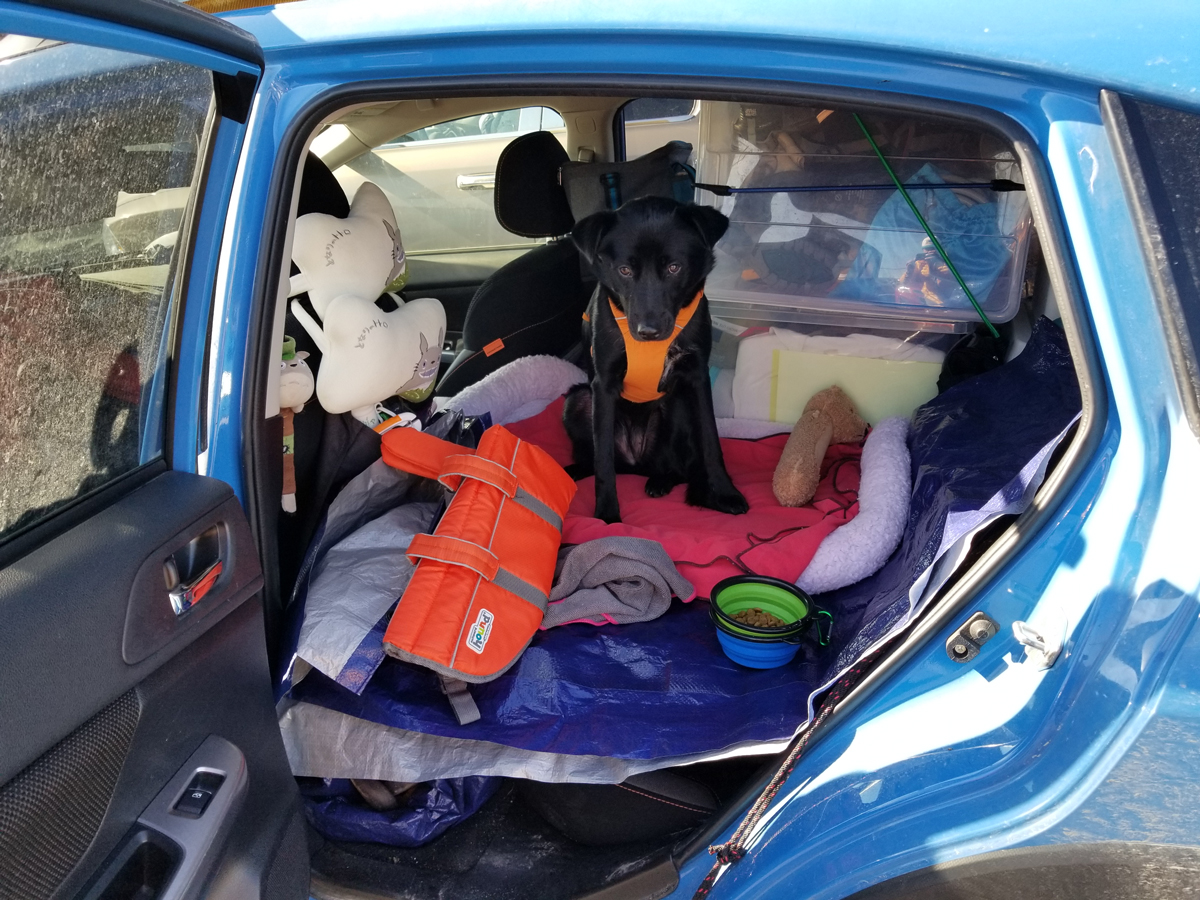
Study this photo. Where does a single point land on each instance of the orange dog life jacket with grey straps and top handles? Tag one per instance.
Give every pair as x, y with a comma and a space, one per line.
484, 577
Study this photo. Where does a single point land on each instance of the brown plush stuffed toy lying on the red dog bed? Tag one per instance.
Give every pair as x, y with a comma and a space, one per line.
829, 418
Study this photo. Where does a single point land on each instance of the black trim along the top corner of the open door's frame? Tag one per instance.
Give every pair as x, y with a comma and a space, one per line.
170, 20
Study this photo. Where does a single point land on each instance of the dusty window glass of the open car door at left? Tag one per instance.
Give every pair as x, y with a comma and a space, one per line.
98, 158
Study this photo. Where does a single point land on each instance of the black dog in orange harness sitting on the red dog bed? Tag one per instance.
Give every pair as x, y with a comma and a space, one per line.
649, 410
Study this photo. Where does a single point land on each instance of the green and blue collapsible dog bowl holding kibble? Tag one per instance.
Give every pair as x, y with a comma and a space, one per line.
757, 646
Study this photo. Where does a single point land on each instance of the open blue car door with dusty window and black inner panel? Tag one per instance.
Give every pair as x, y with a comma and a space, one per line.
140, 755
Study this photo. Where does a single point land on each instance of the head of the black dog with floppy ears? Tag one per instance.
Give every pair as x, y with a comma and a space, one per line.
652, 256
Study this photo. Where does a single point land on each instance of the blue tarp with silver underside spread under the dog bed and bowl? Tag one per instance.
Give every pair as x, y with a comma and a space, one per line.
596, 705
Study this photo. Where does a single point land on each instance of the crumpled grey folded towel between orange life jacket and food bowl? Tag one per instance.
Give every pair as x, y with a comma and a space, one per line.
615, 580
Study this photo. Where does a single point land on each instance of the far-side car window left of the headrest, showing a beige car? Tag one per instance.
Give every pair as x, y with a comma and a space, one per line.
441, 179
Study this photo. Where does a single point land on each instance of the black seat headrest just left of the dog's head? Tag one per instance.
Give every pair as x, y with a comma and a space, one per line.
530, 201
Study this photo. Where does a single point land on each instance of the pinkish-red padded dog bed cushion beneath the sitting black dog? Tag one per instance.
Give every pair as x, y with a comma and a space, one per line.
706, 545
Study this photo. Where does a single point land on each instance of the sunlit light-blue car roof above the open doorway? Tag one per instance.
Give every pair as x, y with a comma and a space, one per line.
1151, 50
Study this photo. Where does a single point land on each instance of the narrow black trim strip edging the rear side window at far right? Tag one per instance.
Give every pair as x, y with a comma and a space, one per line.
1154, 248
